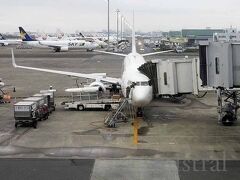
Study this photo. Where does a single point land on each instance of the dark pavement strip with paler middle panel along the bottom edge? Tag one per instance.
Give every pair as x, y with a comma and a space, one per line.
90, 169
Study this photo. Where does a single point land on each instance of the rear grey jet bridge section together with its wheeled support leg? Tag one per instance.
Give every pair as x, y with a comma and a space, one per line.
220, 69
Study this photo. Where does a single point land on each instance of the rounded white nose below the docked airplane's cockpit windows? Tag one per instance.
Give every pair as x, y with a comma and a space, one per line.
141, 96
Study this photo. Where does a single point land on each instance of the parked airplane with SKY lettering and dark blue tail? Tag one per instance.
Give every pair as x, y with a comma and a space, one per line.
60, 45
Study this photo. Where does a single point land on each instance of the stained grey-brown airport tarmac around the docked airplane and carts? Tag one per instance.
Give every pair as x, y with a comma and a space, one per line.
171, 135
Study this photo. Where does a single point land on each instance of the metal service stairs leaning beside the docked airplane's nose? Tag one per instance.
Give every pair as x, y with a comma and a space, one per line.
119, 115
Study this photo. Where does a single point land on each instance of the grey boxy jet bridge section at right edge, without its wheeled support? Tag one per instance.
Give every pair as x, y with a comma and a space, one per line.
220, 64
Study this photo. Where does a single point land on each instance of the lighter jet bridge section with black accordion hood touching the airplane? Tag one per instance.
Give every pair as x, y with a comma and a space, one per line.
172, 77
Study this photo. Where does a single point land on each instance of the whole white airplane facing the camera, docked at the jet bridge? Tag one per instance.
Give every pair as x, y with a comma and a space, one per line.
134, 84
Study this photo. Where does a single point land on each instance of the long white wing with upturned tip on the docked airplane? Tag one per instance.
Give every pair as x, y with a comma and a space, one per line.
95, 76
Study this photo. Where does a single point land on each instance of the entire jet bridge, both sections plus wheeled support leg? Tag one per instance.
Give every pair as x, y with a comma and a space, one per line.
218, 68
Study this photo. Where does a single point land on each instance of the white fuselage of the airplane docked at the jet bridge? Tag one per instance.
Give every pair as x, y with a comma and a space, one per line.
141, 93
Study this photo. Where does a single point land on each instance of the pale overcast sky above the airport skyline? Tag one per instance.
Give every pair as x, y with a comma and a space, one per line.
91, 15
